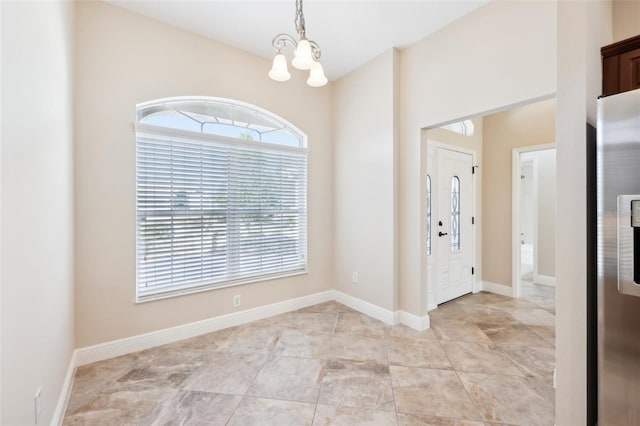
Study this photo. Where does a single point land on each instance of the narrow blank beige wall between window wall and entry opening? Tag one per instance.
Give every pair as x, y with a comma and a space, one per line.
365, 140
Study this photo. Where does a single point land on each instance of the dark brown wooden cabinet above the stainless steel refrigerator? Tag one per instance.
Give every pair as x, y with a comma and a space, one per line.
621, 66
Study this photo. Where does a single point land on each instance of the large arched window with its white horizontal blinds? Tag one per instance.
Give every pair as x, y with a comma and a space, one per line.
221, 196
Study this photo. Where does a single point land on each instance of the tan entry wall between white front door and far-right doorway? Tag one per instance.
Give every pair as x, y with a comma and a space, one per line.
524, 126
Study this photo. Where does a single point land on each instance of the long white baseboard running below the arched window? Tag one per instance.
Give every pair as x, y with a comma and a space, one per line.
140, 342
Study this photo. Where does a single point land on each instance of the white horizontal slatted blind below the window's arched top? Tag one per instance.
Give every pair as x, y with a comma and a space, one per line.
213, 213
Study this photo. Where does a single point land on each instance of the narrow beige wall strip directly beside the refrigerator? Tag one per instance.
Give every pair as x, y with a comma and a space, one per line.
583, 27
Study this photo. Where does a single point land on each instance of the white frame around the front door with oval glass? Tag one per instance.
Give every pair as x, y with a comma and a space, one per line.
430, 268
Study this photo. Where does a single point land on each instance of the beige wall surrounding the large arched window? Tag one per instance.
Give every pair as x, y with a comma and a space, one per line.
124, 59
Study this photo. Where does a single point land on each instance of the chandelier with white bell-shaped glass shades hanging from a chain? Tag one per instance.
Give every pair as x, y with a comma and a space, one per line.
306, 54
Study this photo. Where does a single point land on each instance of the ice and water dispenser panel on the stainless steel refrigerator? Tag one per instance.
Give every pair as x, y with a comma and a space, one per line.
629, 245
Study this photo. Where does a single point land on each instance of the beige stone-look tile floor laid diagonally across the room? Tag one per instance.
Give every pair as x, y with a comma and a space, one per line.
487, 360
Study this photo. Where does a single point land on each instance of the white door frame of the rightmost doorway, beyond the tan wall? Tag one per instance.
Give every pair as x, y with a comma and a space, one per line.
516, 172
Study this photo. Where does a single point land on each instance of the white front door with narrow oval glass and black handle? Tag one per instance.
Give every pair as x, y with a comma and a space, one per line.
452, 231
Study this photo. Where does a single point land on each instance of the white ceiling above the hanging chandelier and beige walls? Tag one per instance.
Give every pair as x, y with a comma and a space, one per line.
350, 33
